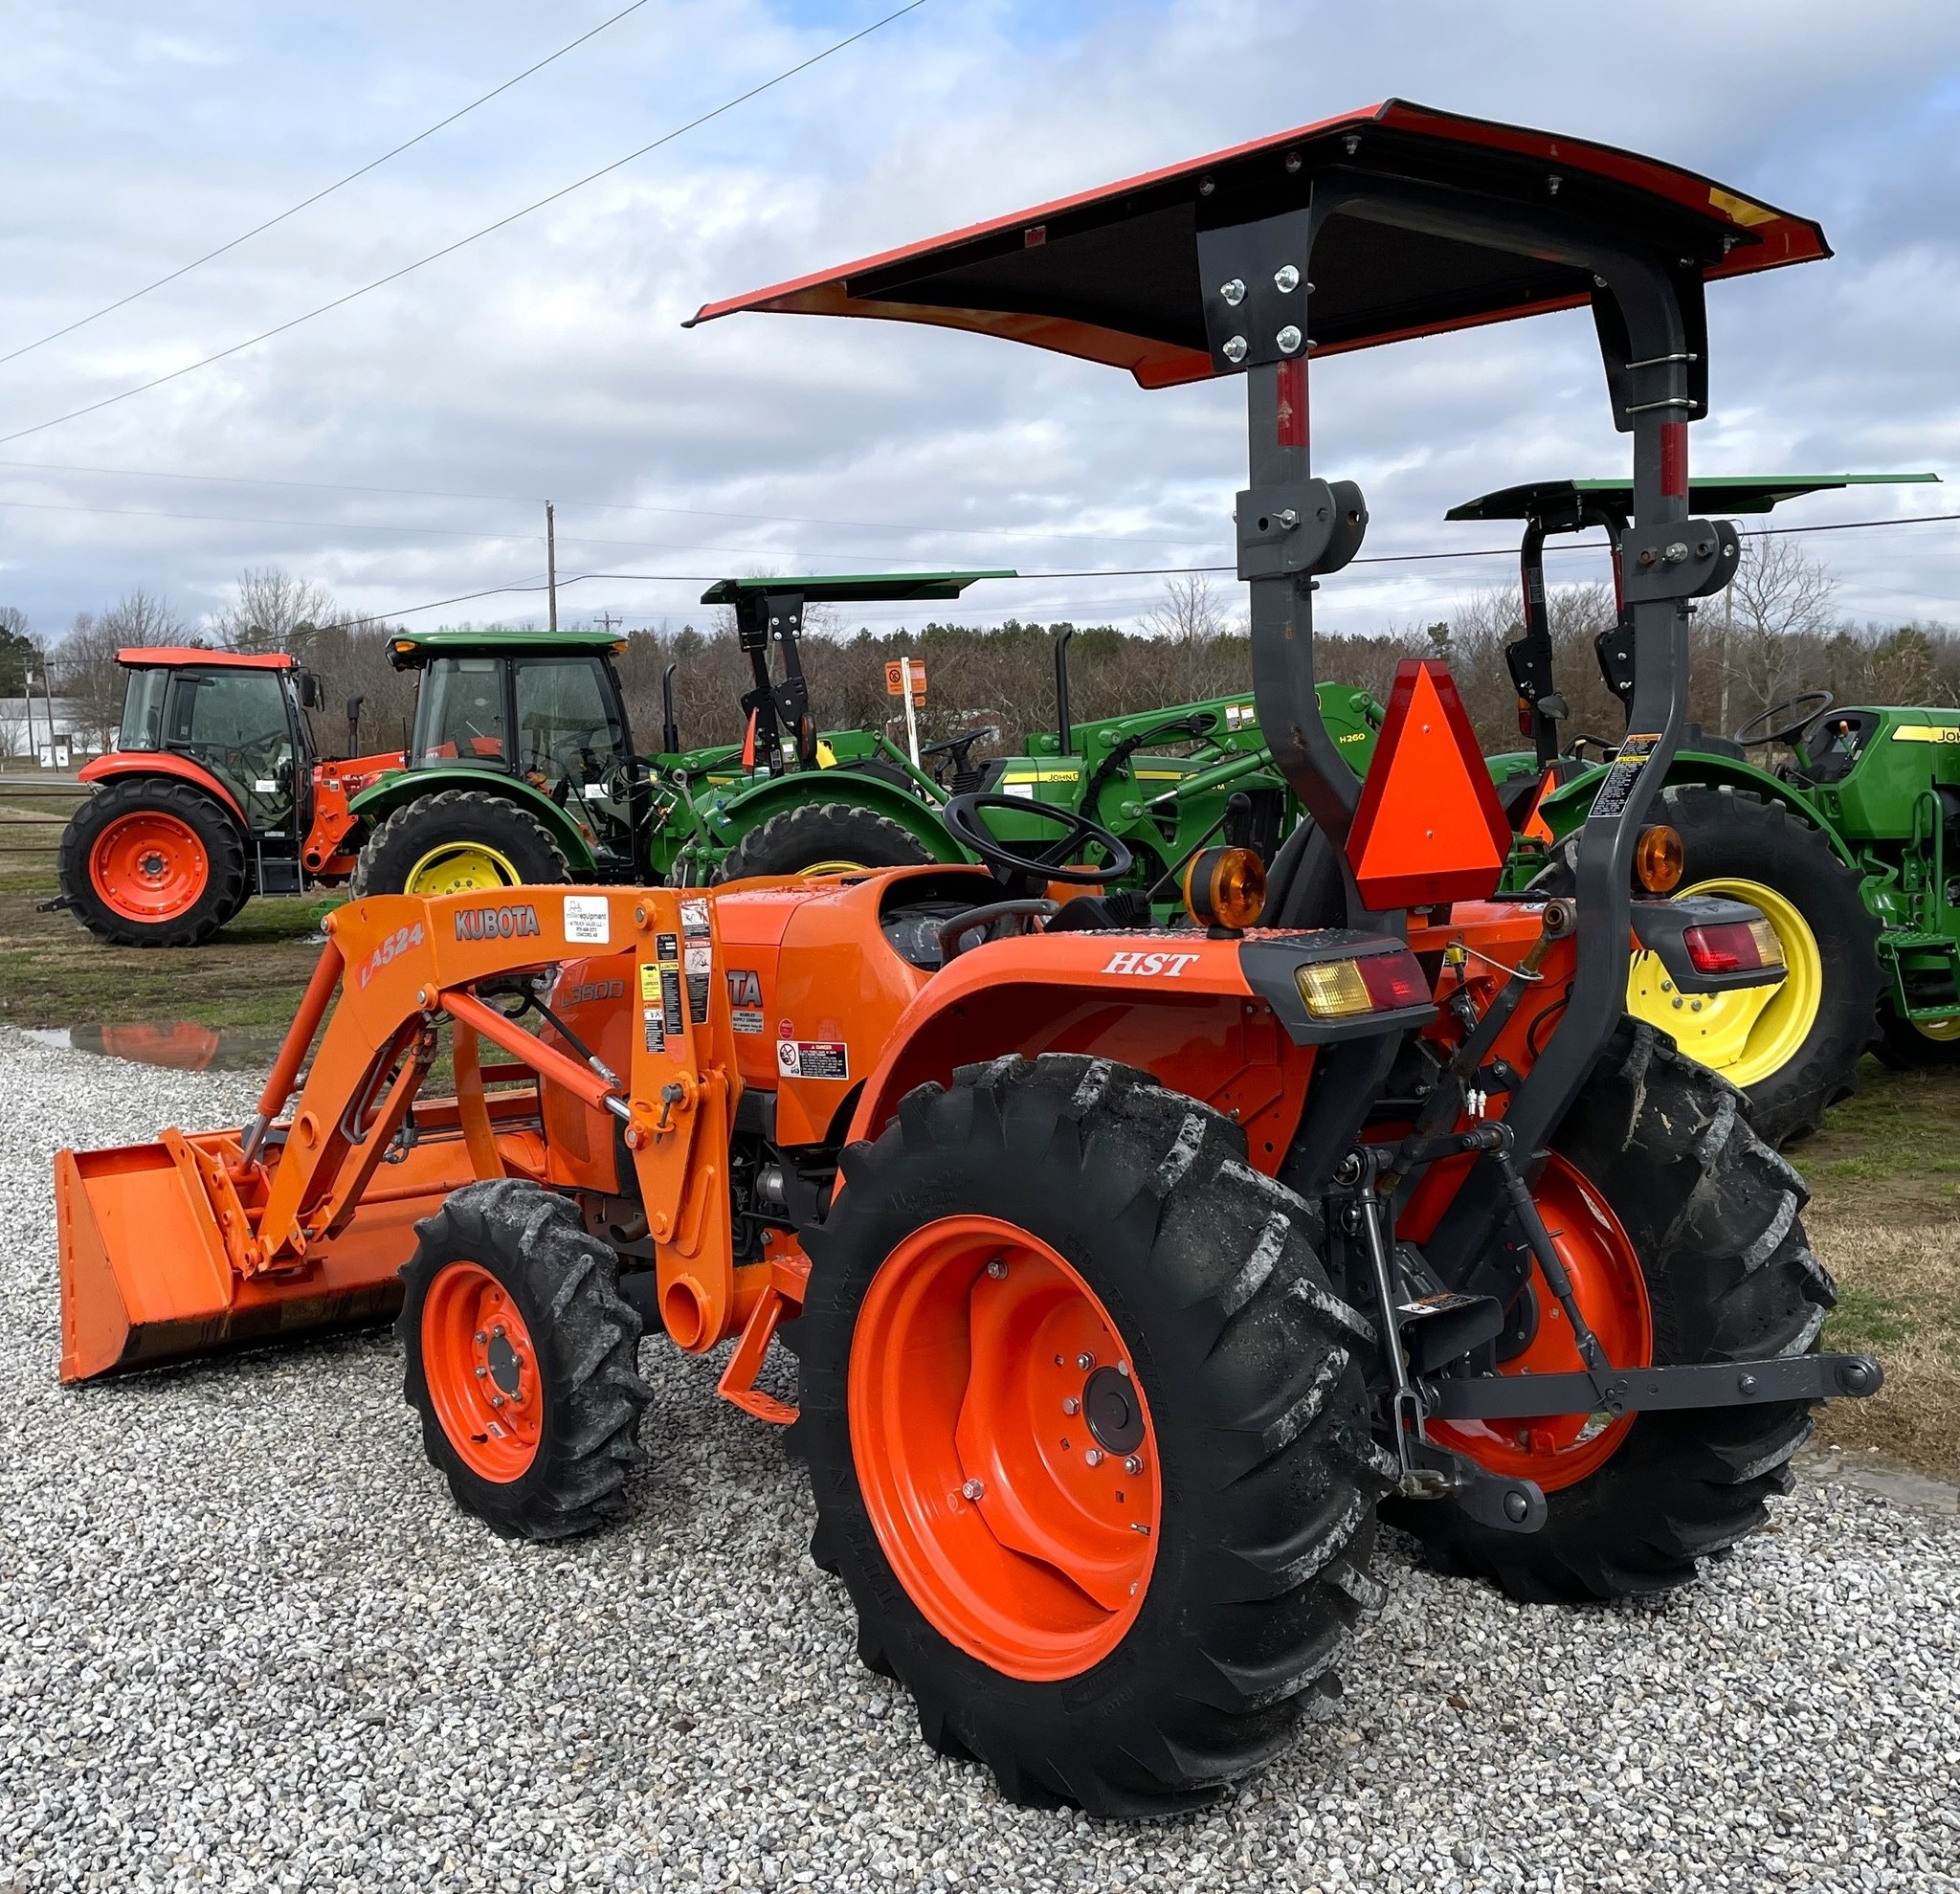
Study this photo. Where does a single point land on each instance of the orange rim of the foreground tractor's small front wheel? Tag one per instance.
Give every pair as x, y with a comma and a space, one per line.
481, 1368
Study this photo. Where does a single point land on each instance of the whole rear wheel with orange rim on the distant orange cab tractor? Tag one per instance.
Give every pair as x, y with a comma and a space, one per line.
173, 891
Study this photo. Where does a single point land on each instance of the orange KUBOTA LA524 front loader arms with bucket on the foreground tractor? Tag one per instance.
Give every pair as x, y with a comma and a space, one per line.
303, 1219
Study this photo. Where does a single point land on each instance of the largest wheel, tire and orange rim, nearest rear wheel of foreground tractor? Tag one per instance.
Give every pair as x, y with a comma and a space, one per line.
1206, 1277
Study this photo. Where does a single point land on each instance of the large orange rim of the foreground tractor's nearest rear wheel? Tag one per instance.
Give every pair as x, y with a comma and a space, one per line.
1004, 1450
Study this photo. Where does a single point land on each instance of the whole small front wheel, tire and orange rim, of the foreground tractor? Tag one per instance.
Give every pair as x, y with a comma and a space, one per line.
552, 1458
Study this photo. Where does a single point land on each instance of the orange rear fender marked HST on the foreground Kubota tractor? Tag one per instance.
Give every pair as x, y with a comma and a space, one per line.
1204, 1017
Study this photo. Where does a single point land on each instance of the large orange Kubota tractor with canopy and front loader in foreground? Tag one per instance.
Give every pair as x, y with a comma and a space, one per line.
1128, 1270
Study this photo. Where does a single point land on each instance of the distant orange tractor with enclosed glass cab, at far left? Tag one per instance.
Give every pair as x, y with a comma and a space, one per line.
211, 797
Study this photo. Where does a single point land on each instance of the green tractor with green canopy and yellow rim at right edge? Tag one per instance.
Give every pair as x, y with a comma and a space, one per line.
1843, 848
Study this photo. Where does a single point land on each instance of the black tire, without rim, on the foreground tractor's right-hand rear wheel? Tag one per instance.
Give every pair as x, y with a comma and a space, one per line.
1712, 1213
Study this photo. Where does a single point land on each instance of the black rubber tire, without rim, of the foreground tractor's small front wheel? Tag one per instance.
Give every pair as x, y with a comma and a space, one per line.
565, 1285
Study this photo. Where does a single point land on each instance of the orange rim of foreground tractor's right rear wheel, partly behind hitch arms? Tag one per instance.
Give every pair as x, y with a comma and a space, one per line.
1561, 1450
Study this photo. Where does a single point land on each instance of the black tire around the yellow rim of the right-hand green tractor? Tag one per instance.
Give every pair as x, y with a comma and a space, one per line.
1736, 836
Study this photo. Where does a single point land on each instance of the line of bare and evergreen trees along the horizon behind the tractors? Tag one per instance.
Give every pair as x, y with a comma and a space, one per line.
1773, 634
